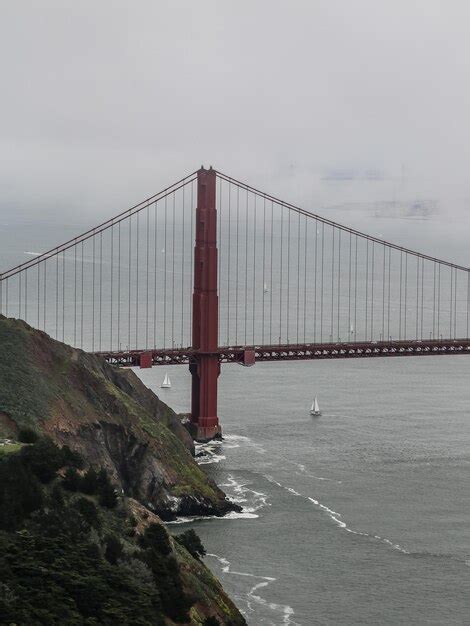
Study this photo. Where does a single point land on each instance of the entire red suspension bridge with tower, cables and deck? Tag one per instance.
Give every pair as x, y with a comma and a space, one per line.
211, 270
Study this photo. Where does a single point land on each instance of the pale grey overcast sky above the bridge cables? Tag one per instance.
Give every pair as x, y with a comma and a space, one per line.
104, 103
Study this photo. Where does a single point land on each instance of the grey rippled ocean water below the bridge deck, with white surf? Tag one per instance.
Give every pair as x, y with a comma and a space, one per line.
360, 516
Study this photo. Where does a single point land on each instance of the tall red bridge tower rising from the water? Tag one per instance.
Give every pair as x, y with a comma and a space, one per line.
205, 367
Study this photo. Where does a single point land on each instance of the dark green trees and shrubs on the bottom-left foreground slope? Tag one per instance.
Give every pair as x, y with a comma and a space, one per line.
65, 558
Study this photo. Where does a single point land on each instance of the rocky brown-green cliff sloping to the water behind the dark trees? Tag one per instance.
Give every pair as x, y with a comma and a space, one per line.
105, 414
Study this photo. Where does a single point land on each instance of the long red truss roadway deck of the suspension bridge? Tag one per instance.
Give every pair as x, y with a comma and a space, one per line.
248, 355
